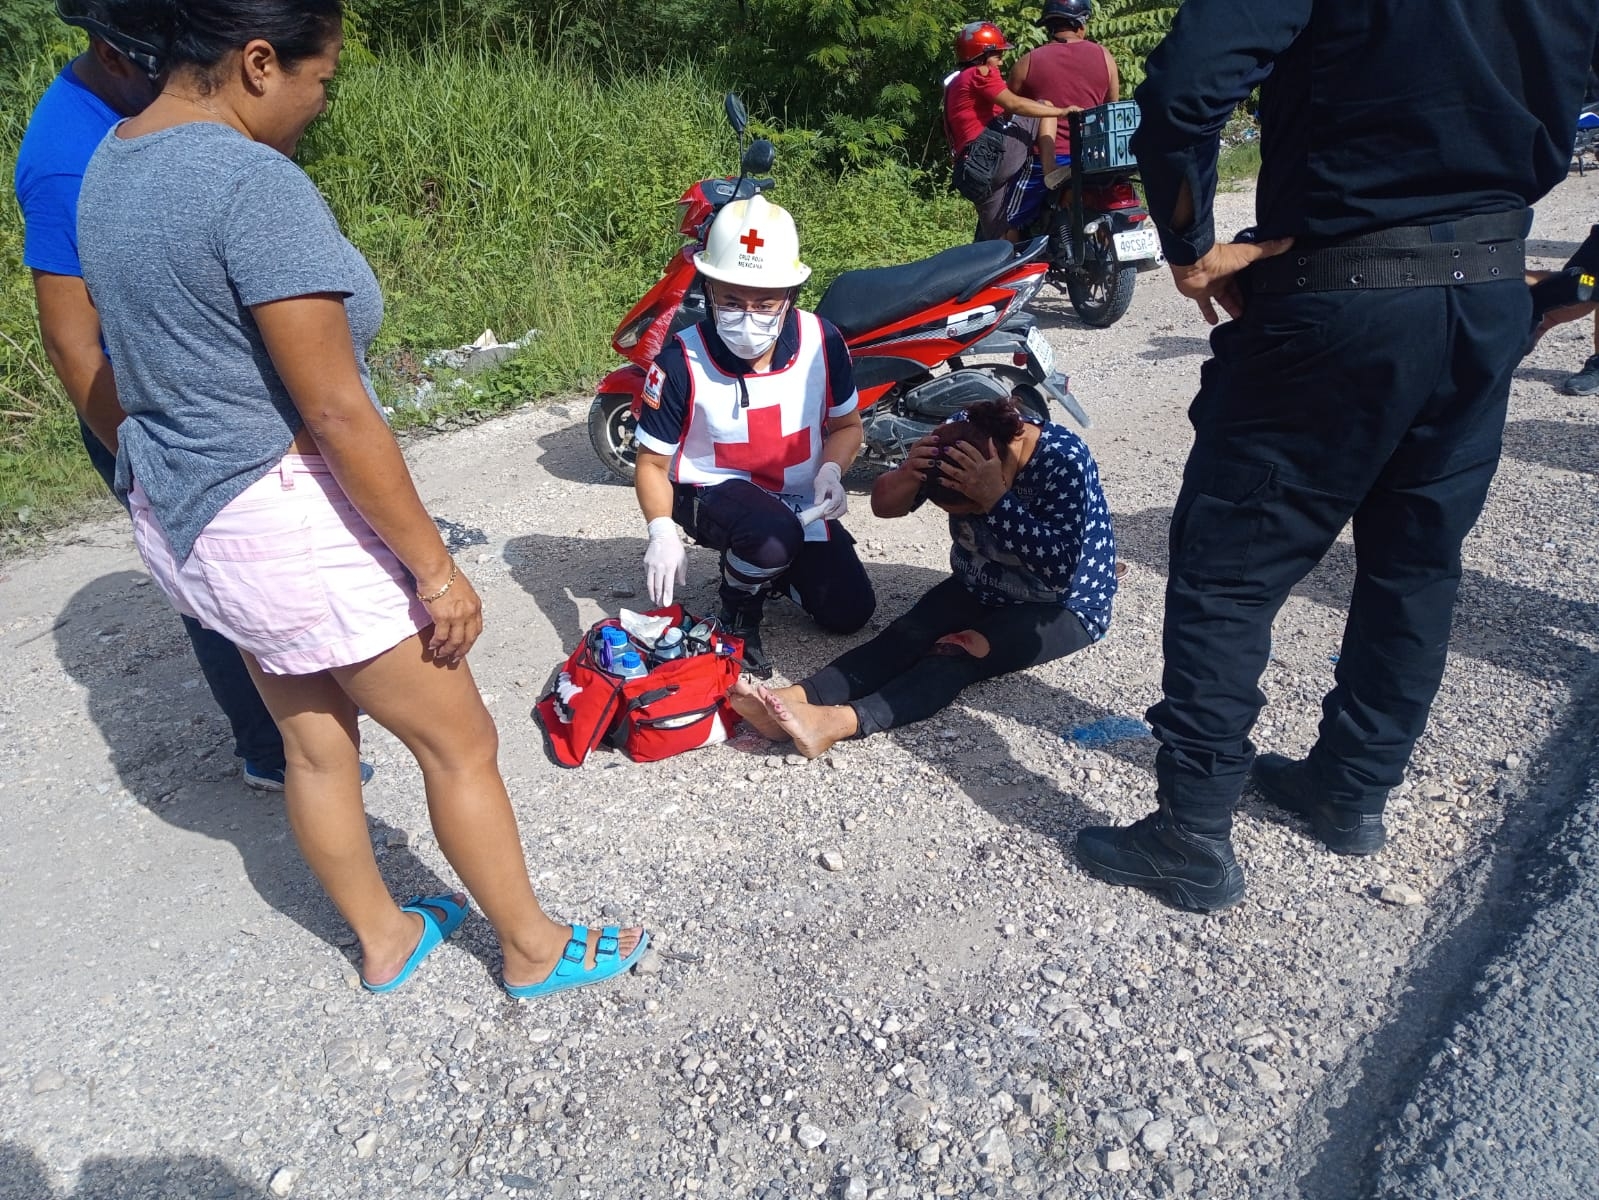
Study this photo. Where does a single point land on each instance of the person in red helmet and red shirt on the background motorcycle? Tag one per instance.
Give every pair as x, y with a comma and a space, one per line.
1072, 71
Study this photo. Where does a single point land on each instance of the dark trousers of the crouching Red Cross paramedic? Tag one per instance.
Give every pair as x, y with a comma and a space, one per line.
764, 548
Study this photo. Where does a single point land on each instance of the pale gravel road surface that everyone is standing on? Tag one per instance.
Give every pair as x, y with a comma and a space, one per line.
955, 1012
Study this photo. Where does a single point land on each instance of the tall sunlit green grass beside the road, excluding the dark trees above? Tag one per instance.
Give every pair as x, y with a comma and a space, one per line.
493, 191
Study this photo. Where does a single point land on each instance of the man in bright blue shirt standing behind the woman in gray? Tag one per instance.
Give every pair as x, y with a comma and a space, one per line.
116, 78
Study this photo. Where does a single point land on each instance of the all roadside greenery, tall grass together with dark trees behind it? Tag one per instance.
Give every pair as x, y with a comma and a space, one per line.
517, 167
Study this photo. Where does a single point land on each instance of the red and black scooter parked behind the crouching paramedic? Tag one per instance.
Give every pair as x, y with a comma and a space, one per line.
928, 338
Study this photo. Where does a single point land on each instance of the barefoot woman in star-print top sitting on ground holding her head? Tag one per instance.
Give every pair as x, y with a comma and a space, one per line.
1034, 580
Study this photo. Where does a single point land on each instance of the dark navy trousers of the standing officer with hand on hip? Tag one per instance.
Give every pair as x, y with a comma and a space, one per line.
1381, 407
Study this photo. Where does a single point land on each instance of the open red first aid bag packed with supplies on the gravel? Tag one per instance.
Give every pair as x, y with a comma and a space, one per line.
679, 706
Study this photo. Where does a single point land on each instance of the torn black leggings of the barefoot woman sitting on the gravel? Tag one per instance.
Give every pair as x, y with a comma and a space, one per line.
903, 676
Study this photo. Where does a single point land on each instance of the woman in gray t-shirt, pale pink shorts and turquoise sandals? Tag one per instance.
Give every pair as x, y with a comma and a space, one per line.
271, 500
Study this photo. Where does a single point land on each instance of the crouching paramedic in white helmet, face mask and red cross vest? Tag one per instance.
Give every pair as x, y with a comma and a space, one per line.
749, 423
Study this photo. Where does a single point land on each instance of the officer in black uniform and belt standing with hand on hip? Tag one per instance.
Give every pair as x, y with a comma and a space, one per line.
1378, 311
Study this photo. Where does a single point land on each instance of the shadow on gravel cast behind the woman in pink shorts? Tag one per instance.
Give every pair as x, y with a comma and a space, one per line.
129, 684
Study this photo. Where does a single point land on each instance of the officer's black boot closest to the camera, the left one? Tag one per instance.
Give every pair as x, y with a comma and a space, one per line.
1182, 868
